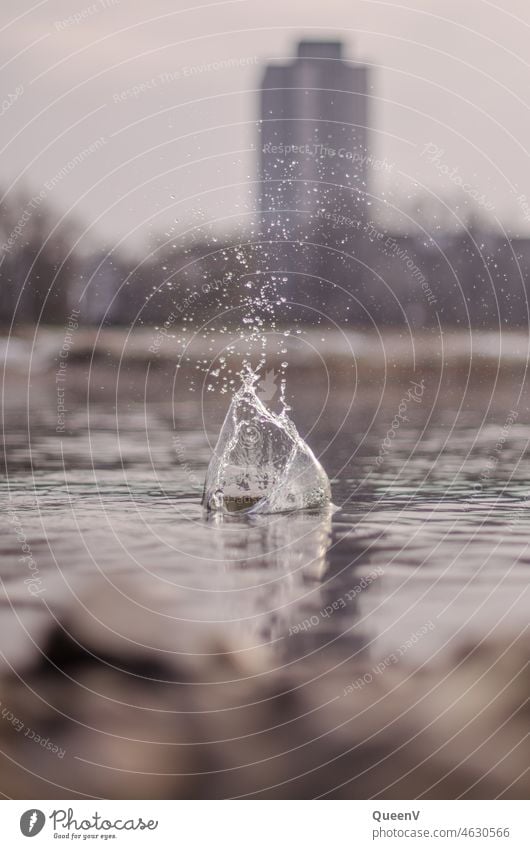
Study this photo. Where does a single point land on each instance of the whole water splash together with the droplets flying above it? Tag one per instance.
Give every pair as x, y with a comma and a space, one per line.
242, 316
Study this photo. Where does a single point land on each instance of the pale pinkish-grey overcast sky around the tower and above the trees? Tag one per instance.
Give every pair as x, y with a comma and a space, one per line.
450, 73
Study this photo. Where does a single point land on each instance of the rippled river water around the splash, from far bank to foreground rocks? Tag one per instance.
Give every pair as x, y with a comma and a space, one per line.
425, 547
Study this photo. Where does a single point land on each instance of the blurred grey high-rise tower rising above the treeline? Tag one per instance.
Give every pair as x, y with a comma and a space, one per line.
314, 130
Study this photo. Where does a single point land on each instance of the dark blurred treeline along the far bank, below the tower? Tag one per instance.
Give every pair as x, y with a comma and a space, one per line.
337, 268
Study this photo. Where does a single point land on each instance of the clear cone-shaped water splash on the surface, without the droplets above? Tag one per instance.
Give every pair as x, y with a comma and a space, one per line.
261, 464
